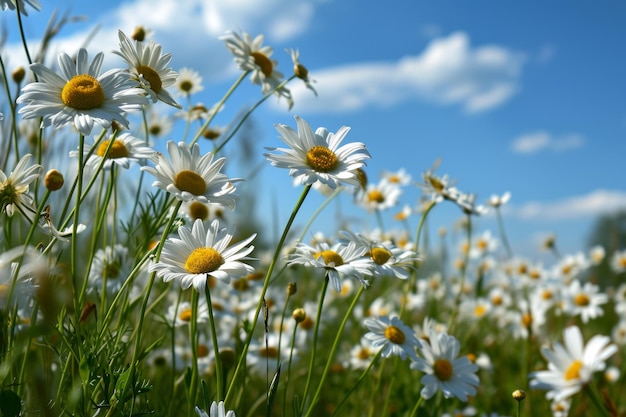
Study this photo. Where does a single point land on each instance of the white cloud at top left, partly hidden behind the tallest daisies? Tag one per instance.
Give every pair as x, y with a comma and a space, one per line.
188, 29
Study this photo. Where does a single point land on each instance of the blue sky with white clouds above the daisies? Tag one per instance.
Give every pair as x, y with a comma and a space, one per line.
526, 97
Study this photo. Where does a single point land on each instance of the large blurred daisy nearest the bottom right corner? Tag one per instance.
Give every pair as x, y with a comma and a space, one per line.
572, 366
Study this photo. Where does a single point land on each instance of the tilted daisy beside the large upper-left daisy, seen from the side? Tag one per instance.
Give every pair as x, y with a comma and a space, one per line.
149, 67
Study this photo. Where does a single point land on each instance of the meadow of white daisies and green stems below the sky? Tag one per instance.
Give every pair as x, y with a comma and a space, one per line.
134, 282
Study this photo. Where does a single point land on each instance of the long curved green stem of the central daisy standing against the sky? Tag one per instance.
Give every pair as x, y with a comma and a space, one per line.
266, 282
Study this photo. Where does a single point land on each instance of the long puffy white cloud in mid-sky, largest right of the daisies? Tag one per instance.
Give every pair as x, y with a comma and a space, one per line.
448, 71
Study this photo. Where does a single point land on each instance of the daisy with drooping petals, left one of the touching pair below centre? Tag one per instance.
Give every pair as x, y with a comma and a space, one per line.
339, 261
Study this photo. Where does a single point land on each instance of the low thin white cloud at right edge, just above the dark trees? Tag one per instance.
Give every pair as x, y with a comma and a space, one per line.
595, 203
